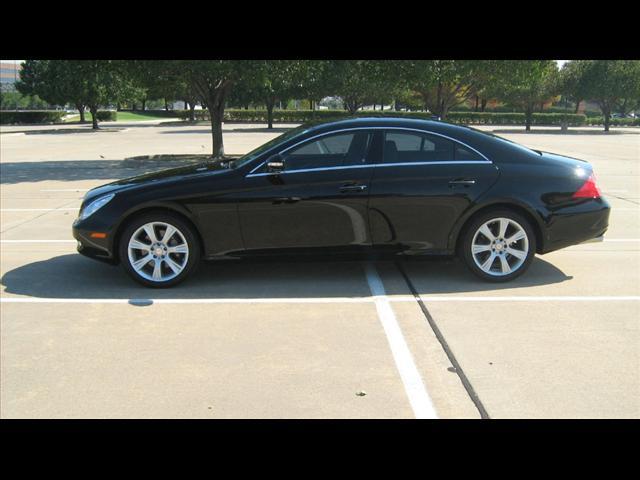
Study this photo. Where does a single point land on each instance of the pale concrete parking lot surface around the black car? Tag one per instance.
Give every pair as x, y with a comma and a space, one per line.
323, 339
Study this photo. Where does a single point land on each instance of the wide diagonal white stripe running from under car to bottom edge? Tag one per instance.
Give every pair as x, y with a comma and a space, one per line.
414, 387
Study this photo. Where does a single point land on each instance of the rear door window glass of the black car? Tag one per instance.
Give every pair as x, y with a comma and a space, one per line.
407, 147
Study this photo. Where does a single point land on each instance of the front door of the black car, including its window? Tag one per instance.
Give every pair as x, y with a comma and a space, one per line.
318, 201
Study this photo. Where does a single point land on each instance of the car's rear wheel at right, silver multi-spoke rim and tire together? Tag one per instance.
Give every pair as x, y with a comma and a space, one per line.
483, 238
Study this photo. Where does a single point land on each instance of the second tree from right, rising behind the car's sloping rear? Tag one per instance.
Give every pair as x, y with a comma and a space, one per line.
527, 83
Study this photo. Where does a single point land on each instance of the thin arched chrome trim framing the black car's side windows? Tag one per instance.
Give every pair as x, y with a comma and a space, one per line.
402, 164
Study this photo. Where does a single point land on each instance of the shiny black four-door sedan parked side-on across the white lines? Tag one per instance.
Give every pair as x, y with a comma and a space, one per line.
367, 185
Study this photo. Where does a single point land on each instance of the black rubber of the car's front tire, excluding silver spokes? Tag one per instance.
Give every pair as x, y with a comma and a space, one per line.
187, 233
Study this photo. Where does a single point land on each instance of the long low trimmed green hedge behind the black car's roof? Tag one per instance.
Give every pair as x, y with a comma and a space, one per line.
302, 116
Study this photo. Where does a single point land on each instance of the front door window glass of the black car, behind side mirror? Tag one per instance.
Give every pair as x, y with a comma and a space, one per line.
341, 149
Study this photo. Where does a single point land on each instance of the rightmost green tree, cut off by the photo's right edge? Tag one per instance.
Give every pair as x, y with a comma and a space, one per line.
610, 83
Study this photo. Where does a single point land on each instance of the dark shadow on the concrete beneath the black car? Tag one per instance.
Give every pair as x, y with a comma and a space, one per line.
73, 276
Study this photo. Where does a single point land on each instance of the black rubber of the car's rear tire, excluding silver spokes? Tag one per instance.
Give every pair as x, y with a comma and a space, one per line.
496, 276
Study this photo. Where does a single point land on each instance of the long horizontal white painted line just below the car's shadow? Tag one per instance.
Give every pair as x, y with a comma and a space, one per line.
306, 300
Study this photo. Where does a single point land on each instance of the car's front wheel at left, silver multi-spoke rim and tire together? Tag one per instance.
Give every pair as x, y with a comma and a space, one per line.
177, 256
